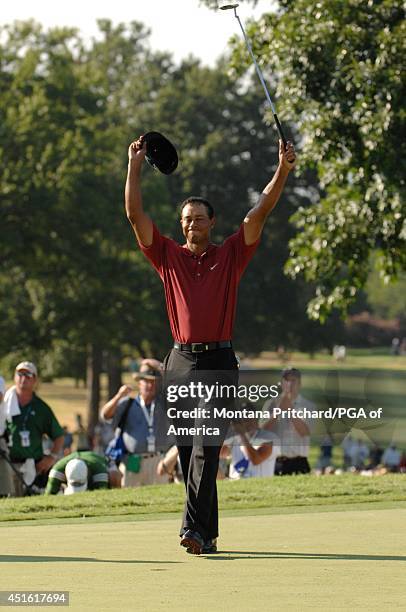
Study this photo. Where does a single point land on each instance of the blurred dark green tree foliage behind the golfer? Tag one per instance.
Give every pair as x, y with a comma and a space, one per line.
72, 281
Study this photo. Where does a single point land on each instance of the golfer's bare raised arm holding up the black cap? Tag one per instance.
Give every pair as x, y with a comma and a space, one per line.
140, 221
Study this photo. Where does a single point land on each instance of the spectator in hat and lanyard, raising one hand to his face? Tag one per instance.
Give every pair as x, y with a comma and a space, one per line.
145, 428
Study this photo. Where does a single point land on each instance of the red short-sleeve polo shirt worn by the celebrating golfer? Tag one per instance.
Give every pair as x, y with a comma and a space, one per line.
200, 291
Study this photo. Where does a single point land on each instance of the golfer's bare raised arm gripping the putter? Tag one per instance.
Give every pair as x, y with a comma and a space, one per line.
255, 219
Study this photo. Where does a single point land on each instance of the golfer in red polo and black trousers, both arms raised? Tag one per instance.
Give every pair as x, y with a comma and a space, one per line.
200, 282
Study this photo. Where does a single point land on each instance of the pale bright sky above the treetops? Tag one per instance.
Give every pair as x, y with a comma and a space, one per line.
179, 26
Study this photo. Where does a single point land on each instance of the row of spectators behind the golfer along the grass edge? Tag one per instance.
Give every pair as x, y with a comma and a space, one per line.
130, 447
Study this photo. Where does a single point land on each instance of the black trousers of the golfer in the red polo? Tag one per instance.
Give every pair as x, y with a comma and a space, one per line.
199, 454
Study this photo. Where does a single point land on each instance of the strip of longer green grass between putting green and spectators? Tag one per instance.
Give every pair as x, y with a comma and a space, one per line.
250, 494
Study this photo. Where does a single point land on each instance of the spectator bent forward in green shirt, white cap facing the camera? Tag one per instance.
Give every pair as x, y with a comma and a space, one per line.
80, 471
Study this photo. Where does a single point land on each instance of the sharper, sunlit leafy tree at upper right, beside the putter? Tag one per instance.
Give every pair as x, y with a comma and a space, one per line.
339, 79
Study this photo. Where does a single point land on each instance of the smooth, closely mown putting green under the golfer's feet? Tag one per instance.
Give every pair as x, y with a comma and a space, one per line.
351, 560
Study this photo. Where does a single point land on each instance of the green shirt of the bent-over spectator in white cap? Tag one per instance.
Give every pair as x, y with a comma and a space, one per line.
97, 471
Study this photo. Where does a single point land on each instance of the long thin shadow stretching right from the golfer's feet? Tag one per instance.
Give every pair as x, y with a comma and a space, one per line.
233, 555
